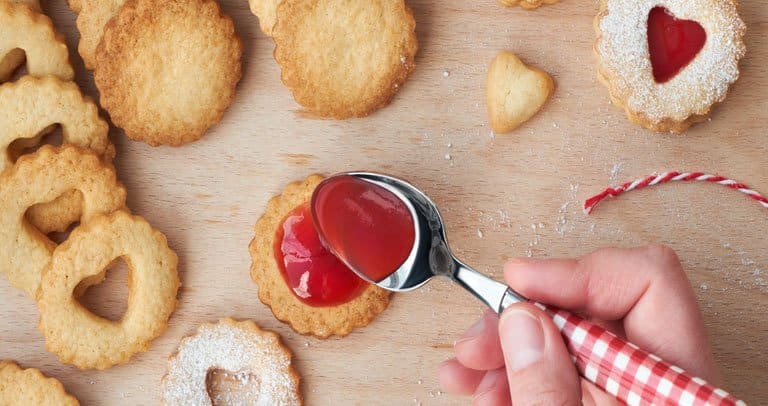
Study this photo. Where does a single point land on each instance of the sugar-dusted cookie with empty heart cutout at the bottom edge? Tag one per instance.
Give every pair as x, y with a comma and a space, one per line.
257, 358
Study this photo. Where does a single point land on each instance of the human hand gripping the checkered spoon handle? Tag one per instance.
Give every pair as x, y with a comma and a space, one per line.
641, 294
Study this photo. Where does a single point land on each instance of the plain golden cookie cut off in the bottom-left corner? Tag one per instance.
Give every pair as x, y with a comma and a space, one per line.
24, 387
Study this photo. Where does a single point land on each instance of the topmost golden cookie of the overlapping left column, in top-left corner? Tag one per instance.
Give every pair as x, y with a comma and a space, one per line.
23, 28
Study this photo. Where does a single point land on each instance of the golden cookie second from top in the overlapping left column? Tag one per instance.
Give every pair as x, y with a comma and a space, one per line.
30, 106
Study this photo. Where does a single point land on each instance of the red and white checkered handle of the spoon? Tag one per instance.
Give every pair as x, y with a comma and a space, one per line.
632, 375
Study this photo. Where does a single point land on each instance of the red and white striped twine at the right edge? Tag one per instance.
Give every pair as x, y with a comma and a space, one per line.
653, 180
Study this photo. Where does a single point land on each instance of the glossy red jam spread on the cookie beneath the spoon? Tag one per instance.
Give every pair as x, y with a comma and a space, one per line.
315, 276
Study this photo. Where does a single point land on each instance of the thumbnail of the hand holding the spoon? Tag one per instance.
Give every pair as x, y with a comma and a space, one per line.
522, 338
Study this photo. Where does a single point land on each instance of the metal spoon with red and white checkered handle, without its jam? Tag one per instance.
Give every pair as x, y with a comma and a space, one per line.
616, 366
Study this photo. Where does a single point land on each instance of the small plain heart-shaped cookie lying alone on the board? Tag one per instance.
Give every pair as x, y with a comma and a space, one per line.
515, 92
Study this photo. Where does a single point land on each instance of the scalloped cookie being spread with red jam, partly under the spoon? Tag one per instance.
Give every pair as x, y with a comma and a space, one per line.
299, 279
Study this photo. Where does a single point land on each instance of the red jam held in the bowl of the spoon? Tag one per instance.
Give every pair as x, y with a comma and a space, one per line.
367, 225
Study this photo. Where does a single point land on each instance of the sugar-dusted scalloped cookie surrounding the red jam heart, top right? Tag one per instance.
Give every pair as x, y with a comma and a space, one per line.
690, 95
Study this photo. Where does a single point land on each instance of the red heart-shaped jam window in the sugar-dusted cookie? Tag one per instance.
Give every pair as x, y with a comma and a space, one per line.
672, 43
